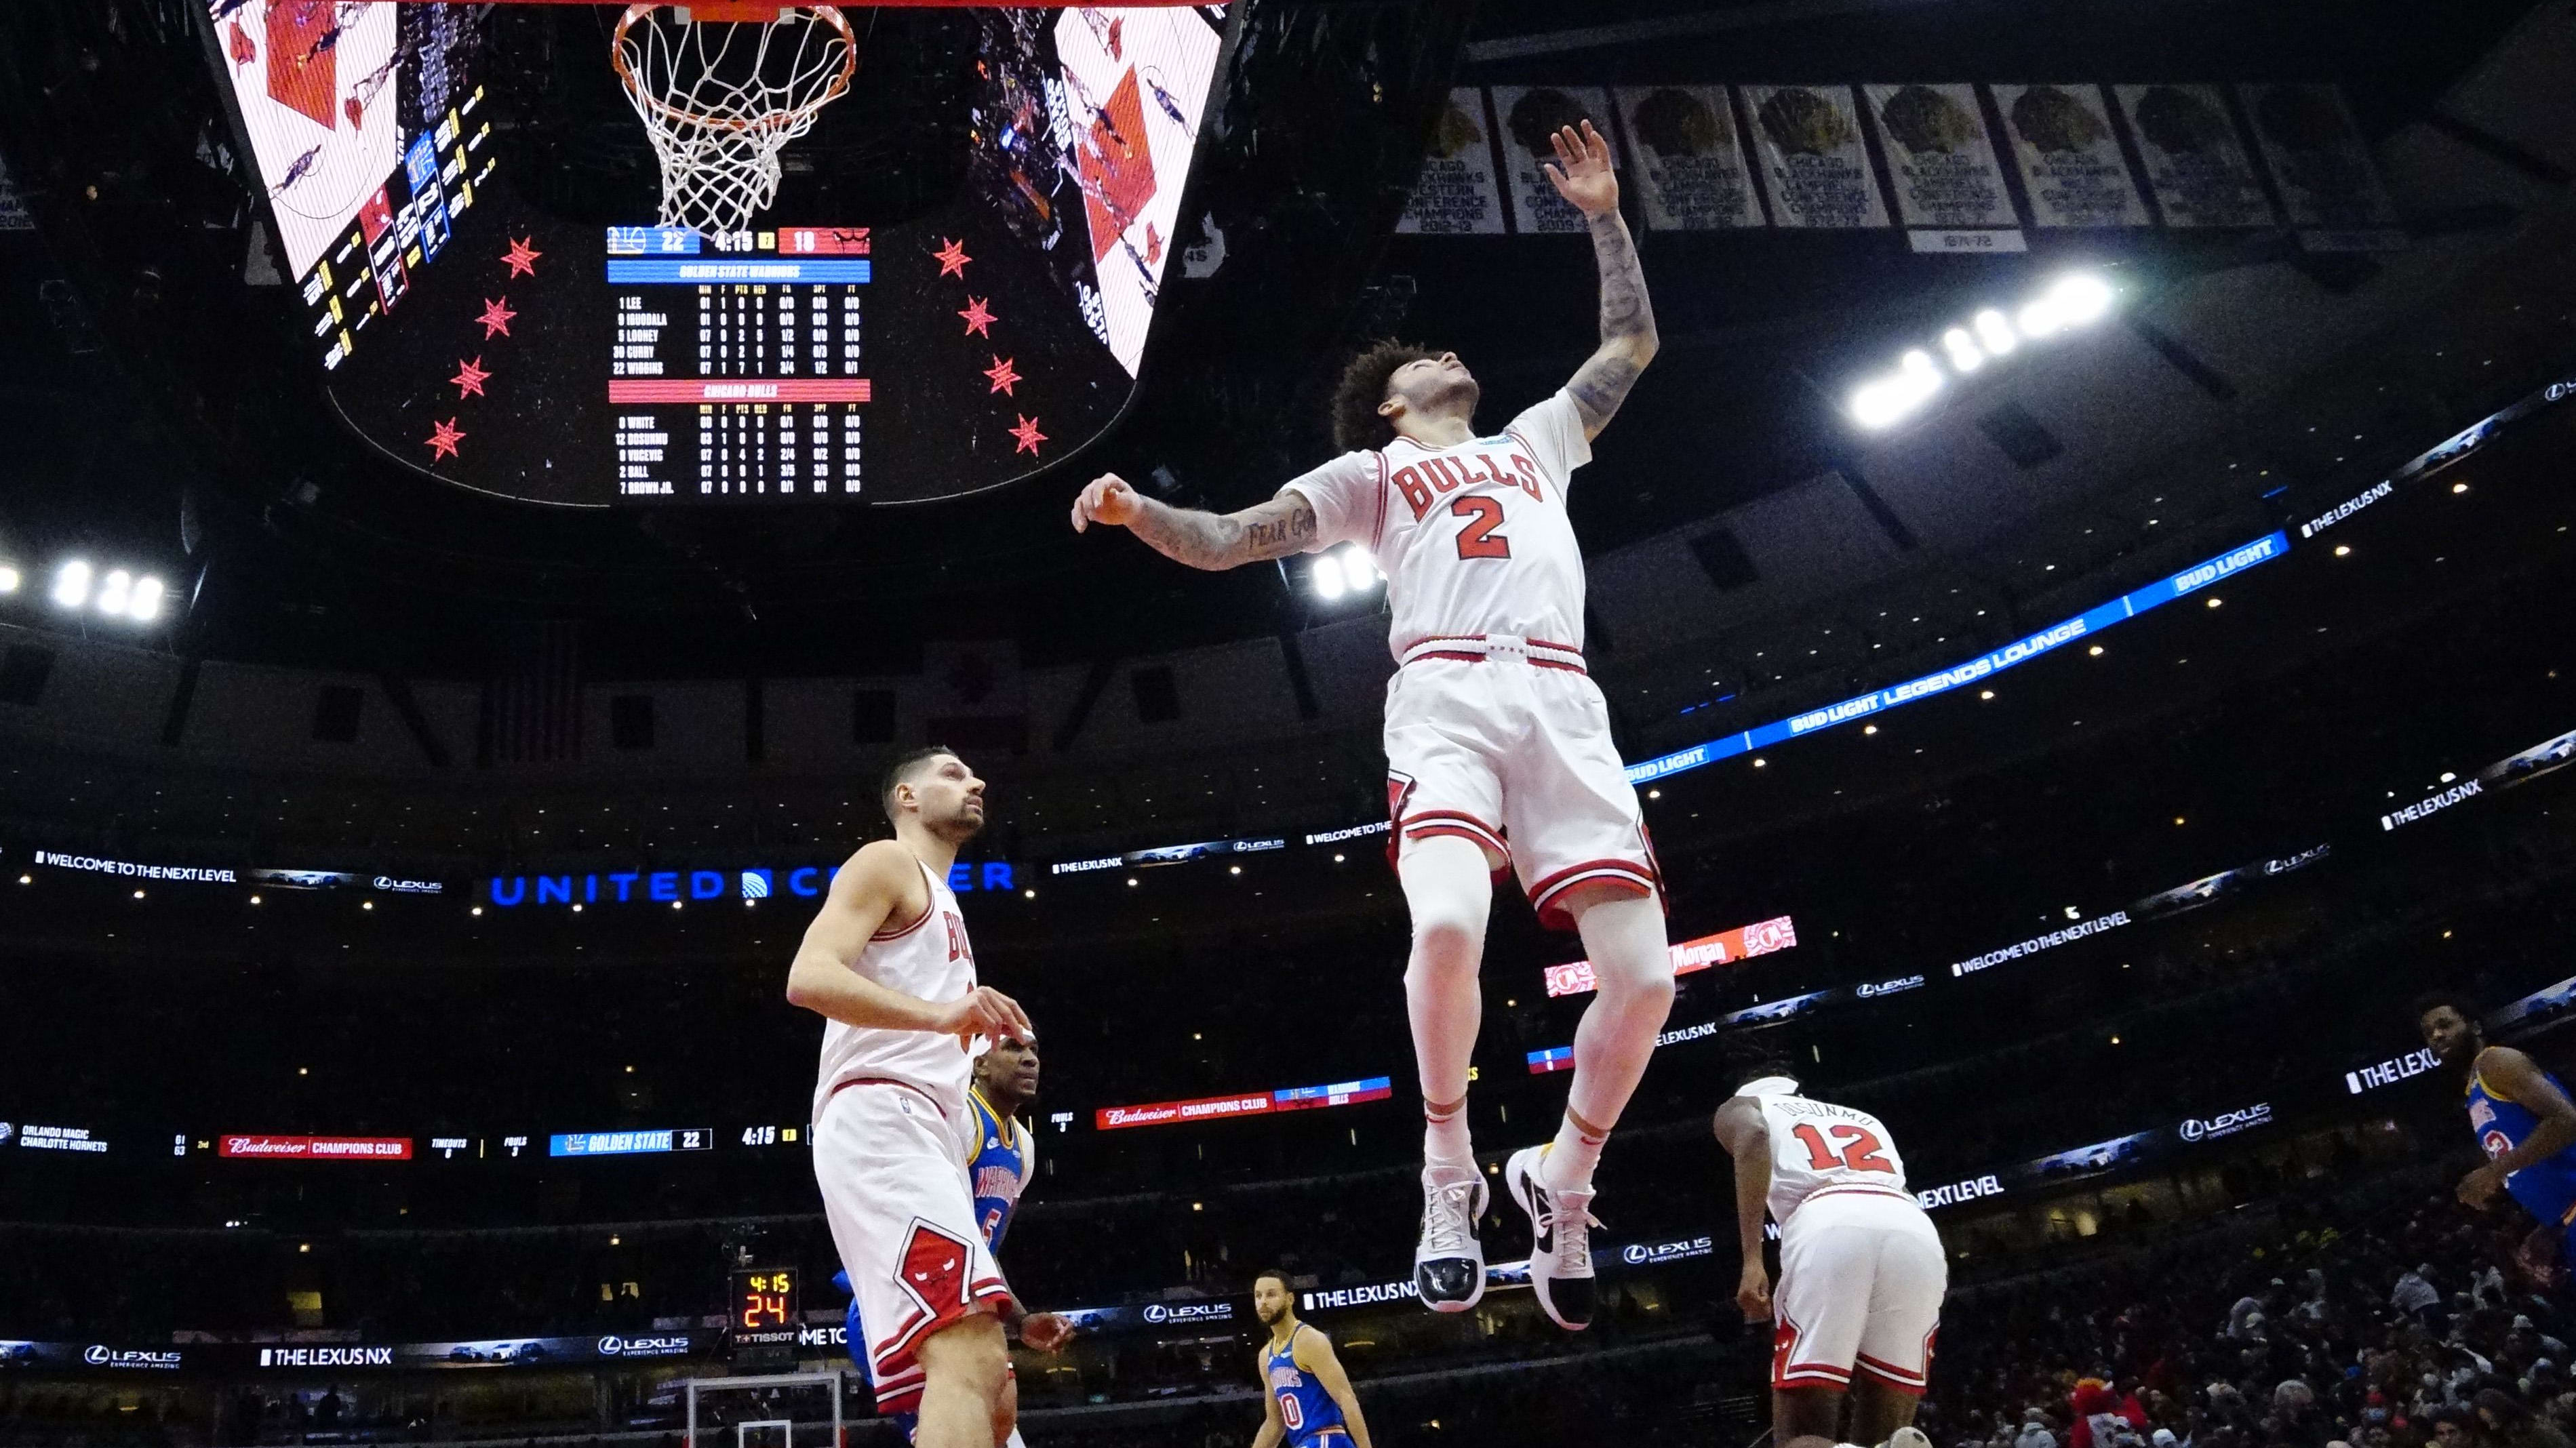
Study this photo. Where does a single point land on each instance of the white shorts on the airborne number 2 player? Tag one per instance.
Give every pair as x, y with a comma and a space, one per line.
1508, 743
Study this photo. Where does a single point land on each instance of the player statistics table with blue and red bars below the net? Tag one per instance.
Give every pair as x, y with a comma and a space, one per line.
738, 370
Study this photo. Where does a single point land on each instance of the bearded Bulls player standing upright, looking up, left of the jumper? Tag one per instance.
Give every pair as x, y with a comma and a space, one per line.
890, 970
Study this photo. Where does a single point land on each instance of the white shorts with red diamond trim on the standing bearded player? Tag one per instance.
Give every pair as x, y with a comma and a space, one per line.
893, 1168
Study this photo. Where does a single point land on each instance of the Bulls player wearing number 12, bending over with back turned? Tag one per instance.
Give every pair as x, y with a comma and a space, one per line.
1861, 1266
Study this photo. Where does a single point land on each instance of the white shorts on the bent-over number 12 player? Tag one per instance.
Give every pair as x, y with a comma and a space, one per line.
1861, 1284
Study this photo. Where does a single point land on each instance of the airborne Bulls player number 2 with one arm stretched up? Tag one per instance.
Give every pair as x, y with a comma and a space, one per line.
1498, 743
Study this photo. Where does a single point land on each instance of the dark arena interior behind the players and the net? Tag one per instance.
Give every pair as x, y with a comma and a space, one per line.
2085, 599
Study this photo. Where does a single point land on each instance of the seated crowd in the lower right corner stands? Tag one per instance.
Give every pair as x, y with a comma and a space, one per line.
2384, 1318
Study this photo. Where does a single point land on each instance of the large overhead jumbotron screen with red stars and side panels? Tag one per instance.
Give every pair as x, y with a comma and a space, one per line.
483, 341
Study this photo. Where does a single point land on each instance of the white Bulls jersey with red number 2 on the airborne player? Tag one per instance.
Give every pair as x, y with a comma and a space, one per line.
1472, 540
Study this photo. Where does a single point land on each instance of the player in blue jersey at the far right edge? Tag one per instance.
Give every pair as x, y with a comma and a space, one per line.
2521, 1114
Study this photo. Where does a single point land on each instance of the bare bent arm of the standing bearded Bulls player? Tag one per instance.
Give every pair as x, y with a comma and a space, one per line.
875, 888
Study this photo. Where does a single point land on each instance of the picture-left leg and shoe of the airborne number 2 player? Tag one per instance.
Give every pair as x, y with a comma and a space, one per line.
1449, 895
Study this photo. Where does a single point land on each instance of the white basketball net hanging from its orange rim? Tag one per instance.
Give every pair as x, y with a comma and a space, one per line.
725, 97
